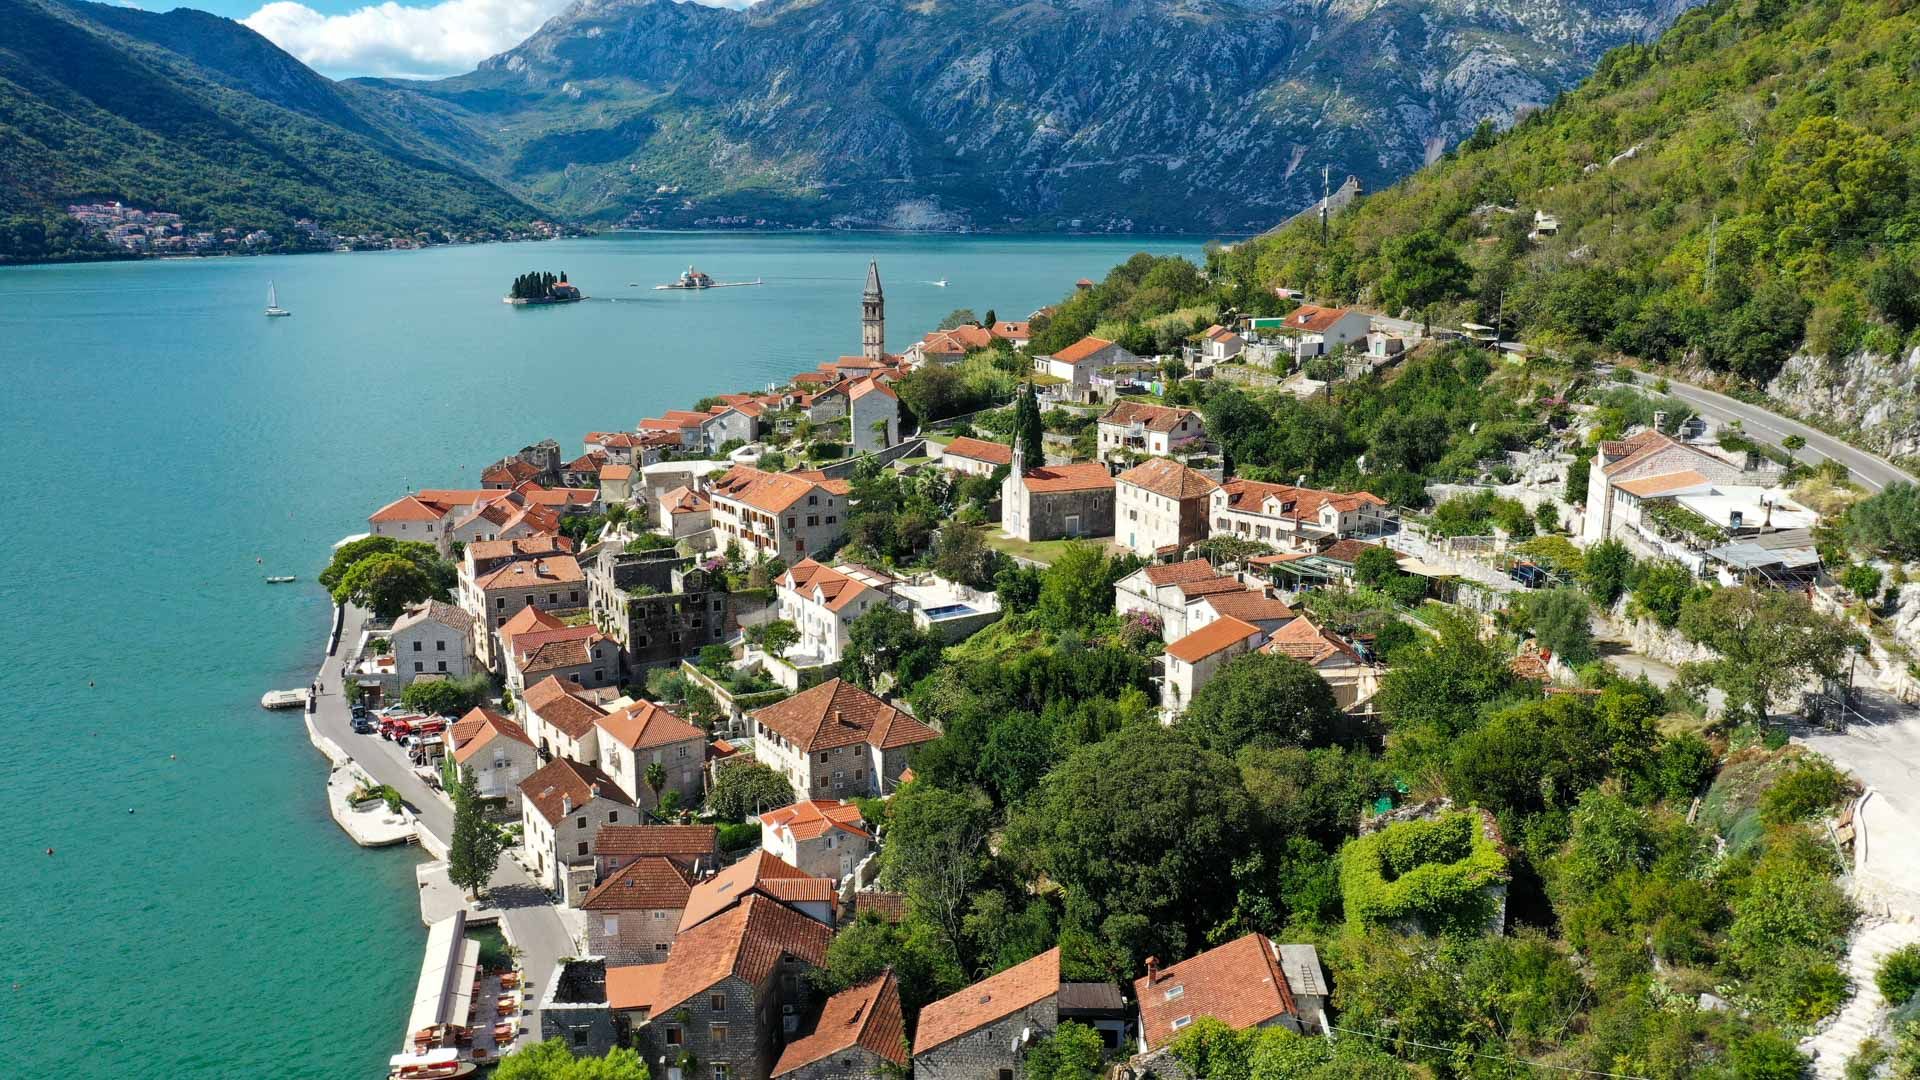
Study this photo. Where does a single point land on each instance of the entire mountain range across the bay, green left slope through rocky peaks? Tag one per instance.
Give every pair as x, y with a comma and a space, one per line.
984, 114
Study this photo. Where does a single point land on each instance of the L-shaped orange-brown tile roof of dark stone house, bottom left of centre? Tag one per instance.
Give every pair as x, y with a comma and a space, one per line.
744, 943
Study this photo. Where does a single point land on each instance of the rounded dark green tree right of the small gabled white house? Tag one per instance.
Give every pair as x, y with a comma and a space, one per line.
1264, 700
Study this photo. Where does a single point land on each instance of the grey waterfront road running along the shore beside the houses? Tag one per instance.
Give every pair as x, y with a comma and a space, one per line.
531, 920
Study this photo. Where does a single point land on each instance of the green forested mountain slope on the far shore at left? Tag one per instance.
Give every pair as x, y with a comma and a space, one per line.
93, 112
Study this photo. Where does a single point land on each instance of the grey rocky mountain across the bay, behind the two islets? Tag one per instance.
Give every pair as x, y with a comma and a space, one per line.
1097, 114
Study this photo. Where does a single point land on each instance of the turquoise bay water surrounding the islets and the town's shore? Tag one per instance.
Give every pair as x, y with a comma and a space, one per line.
170, 449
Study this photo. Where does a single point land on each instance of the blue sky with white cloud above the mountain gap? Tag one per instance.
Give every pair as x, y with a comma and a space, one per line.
414, 39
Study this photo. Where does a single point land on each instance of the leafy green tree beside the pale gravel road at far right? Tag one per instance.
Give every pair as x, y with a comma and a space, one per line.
1769, 643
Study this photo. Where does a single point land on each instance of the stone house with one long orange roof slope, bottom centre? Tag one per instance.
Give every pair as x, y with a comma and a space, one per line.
988, 1029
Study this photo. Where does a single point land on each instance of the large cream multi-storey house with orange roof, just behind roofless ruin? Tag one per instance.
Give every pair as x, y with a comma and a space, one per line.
779, 514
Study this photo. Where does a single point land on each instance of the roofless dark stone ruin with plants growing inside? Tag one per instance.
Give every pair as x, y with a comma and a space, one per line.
660, 606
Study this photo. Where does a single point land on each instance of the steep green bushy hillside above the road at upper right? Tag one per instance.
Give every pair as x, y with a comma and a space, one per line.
1733, 189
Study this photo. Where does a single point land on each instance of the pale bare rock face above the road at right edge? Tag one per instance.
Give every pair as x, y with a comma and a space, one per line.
1879, 397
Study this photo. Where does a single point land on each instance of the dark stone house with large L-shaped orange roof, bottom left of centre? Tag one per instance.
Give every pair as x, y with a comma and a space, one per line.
732, 991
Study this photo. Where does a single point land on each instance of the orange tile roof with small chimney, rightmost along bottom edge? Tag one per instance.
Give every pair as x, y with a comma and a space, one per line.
1239, 985
